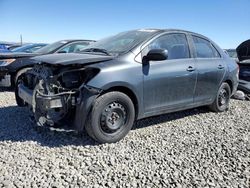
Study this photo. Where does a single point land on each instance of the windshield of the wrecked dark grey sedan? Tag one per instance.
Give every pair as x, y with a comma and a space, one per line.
121, 42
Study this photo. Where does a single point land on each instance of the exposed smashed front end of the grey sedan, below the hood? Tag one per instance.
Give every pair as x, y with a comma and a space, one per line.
58, 96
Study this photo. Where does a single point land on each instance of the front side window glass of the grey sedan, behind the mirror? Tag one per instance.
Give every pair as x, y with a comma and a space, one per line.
175, 44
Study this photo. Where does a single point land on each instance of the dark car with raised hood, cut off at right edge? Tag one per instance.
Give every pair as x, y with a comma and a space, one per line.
243, 52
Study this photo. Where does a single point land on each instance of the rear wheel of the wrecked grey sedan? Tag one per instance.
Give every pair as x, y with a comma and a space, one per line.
221, 102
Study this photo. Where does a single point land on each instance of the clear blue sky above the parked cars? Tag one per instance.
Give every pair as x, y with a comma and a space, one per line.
227, 22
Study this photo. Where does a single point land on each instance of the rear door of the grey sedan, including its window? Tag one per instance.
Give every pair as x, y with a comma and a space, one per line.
211, 69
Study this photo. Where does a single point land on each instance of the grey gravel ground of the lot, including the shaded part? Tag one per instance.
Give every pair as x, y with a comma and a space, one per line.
194, 148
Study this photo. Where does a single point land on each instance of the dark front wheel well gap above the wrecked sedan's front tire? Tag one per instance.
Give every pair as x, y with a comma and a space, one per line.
128, 92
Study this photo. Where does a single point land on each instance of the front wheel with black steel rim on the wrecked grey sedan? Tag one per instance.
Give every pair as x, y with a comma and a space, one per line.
111, 117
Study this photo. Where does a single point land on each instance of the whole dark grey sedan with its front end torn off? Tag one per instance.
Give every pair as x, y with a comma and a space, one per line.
129, 76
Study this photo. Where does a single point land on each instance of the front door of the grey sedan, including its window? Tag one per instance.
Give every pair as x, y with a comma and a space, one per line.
169, 84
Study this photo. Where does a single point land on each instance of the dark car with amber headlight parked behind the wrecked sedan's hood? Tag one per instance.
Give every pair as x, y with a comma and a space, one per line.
13, 65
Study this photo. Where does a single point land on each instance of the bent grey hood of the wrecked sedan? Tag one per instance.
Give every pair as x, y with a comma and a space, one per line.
71, 58
